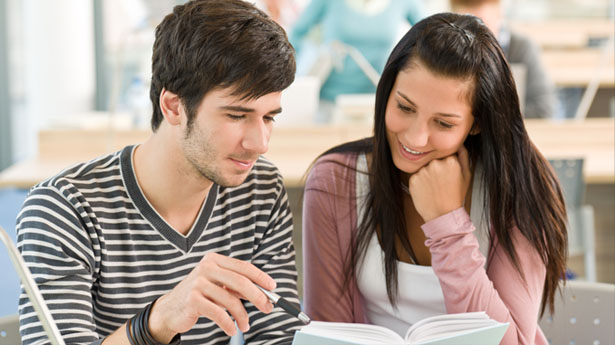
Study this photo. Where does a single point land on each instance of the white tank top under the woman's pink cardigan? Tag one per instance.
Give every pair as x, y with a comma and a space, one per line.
419, 292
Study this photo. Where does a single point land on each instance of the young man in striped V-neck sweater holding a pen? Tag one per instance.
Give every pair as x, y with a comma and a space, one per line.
168, 239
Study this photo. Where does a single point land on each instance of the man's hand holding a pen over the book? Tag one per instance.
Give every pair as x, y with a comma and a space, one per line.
216, 285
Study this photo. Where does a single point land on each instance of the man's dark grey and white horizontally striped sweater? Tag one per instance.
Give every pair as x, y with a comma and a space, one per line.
100, 253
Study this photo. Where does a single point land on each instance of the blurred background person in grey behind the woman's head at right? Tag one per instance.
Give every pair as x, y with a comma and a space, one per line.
539, 100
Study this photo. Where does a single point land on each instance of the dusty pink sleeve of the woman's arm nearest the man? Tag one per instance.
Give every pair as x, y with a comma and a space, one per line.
327, 221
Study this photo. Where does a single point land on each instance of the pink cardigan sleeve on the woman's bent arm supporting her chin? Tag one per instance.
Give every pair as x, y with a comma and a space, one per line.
500, 291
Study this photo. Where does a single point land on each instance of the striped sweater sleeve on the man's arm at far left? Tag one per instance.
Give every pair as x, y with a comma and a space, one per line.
61, 258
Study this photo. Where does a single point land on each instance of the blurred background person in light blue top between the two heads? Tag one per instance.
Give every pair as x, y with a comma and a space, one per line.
370, 27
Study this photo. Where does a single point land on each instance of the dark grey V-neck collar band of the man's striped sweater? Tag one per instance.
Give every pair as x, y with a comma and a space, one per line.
182, 242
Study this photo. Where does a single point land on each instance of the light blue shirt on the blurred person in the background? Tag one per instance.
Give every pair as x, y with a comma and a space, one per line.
374, 35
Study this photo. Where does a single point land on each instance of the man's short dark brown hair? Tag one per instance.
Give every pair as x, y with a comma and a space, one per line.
209, 44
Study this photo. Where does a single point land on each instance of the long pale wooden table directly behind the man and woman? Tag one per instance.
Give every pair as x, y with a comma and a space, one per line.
293, 149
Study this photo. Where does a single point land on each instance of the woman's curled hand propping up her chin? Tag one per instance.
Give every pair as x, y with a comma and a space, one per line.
441, 186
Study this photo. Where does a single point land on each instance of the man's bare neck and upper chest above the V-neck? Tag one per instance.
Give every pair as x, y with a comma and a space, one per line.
174, 191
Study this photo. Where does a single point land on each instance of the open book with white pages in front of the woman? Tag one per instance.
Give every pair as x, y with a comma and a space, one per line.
474, 328
